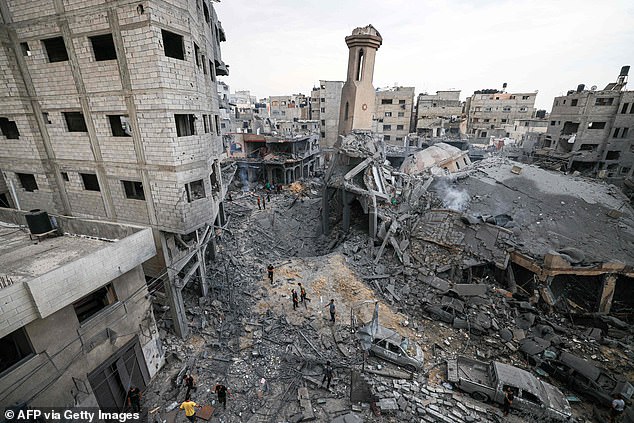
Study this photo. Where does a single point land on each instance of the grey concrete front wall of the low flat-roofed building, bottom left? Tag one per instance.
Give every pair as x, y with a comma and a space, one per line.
67, 350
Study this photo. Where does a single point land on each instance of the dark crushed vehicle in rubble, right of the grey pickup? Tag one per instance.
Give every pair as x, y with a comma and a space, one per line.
584, 377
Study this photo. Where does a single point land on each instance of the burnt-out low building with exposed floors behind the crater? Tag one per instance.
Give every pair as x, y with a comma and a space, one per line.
278, 159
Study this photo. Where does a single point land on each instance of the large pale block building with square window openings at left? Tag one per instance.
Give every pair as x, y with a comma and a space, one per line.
110, 111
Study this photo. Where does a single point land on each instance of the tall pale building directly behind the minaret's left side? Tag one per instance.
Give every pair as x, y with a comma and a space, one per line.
324, 107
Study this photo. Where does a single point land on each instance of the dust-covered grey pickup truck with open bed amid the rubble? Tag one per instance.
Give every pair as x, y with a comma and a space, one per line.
488, 381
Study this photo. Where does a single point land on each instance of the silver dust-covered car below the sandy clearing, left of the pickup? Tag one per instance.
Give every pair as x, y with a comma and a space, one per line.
391, 346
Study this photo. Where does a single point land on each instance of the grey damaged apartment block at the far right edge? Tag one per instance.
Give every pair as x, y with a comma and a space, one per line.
593, 130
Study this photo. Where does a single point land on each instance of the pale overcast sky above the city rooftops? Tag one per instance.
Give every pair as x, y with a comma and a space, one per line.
278, 47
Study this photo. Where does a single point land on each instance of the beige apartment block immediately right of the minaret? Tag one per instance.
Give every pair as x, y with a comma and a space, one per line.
393, 114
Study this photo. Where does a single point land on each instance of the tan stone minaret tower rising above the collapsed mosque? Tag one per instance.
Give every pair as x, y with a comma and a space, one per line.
357, 95
